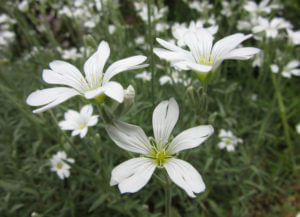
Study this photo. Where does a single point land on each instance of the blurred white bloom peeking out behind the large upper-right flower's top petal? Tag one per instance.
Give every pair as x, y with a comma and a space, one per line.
179, 30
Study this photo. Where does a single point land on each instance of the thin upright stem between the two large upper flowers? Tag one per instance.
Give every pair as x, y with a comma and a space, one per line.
150, 40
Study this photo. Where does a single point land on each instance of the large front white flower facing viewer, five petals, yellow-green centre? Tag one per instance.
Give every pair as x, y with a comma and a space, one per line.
160, 151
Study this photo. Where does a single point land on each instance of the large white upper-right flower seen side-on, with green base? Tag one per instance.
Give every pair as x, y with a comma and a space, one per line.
202, 57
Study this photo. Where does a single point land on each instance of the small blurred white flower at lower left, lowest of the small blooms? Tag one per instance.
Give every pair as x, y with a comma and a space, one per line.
59, 164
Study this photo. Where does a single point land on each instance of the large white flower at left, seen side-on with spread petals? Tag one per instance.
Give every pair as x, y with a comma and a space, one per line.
95, 85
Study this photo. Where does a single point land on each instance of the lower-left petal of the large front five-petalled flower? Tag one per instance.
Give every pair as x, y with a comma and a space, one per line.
133, 174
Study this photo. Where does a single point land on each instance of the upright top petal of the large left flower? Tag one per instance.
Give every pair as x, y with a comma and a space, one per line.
94, 65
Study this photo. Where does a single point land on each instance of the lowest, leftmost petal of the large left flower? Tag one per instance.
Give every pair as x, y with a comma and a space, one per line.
50, 96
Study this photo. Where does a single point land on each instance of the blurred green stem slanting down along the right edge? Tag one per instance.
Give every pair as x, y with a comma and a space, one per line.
284, 120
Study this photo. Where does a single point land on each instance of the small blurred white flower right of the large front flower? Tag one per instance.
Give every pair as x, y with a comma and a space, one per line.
228, 140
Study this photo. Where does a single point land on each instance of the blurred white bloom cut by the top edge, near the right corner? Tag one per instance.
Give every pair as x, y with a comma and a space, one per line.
262, 7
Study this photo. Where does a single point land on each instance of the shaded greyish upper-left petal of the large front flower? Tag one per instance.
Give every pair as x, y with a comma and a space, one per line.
129, 137
